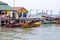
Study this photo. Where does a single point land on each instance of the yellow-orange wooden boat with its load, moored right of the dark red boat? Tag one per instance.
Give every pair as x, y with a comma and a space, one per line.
29, 23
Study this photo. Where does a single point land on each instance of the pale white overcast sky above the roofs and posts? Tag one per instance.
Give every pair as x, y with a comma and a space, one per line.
35, 4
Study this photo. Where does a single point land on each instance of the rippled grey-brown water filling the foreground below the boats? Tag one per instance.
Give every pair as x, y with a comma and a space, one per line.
43, 32
